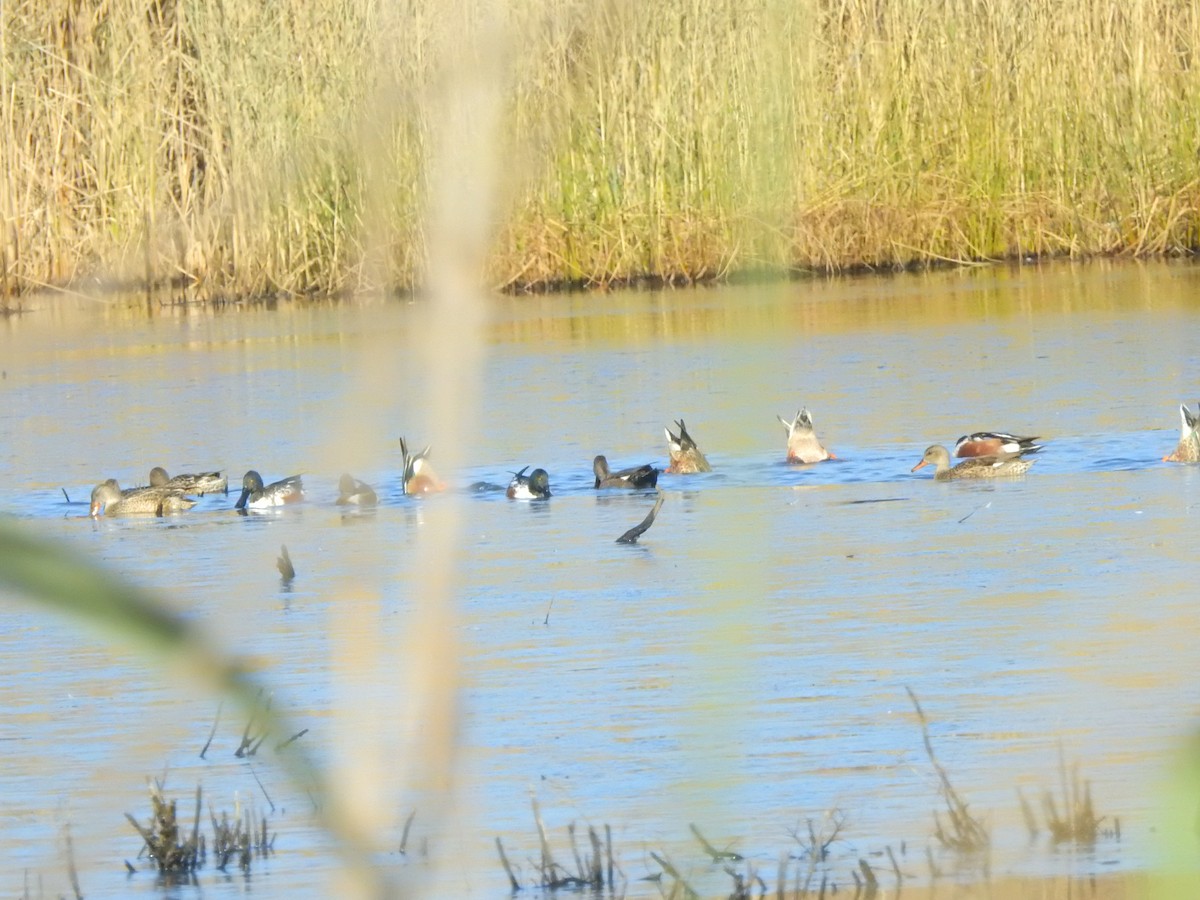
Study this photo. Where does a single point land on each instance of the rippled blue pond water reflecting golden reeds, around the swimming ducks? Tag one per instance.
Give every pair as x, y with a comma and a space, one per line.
743, 668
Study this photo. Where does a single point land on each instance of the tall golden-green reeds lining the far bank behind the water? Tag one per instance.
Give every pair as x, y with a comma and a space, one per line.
244, 148
